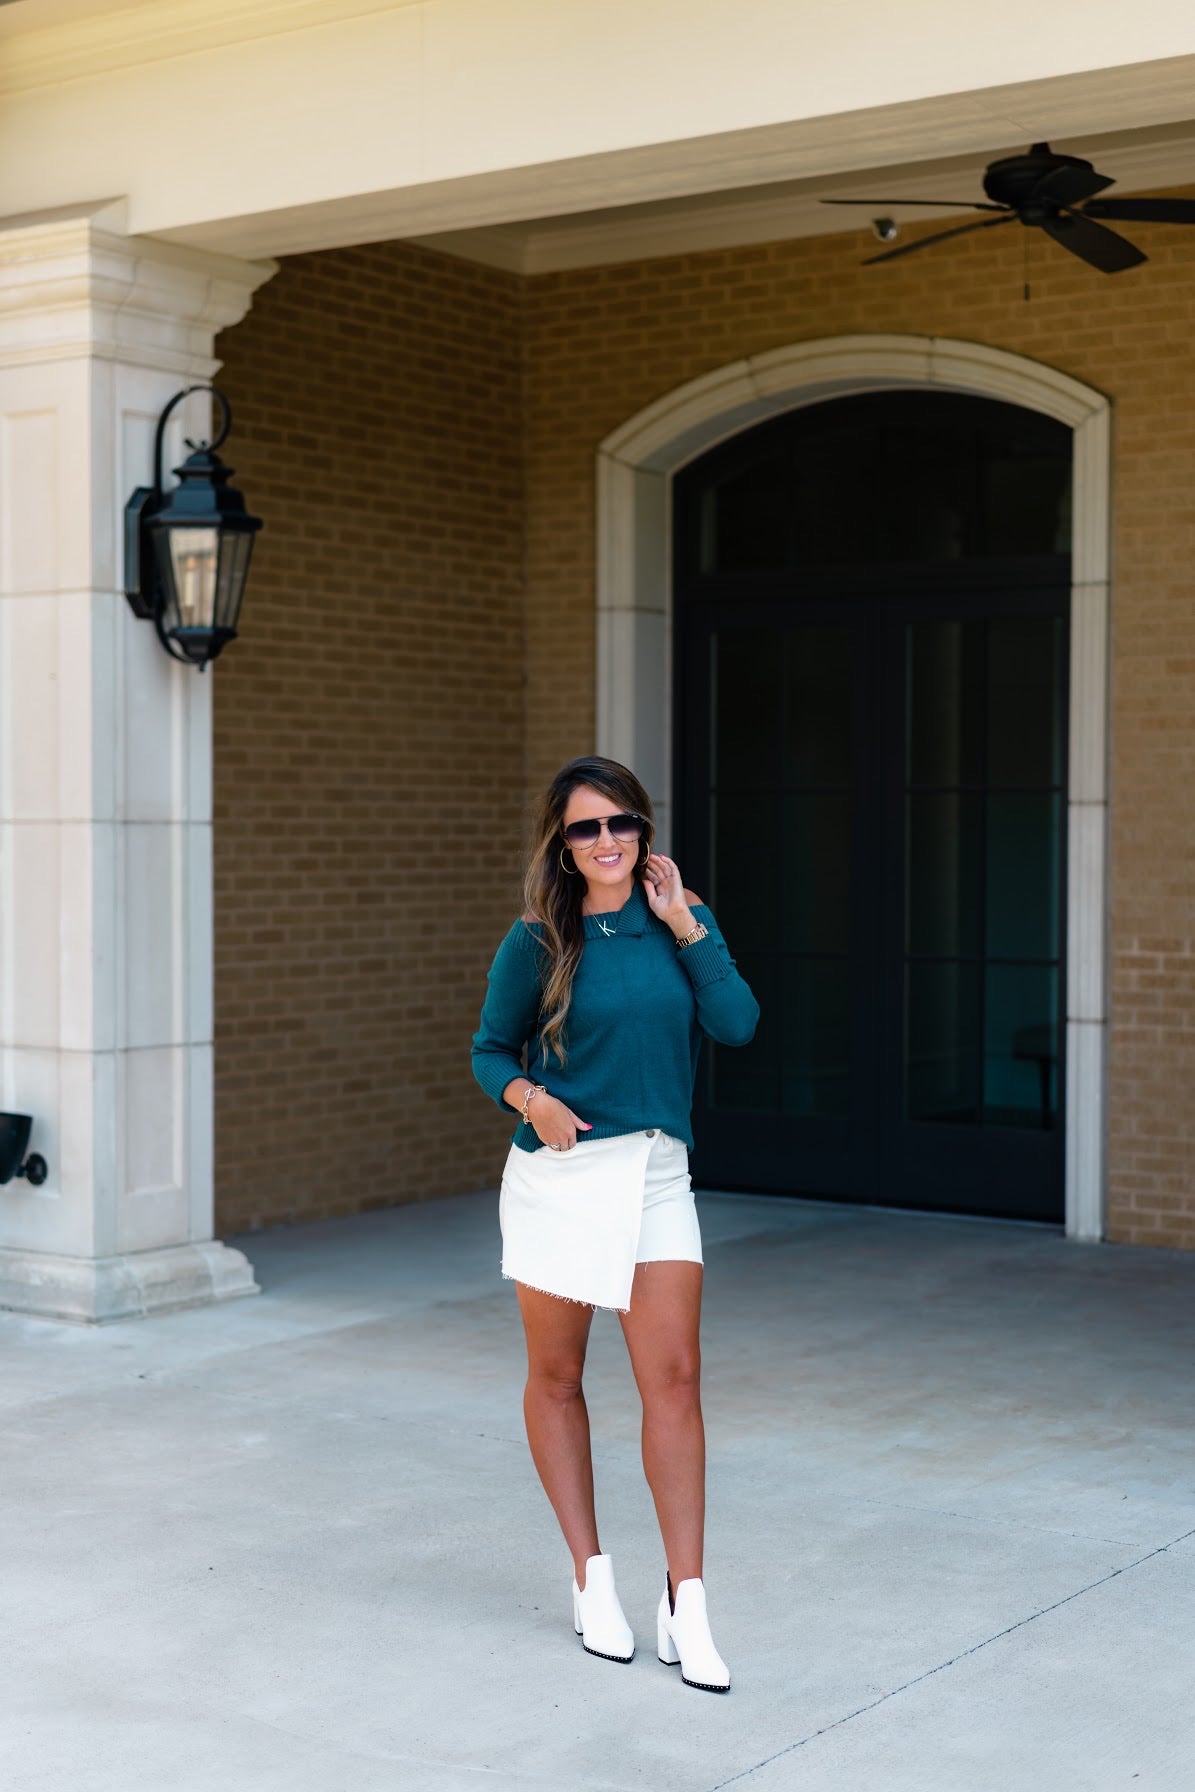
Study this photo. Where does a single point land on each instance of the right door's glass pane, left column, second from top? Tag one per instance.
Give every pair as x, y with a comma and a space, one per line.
943, 872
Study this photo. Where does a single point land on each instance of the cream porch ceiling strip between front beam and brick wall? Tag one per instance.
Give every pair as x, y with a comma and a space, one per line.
1151, 160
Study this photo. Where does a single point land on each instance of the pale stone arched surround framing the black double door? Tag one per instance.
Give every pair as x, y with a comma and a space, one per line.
635, 625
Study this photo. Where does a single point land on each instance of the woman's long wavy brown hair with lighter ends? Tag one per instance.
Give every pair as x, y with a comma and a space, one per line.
555, 890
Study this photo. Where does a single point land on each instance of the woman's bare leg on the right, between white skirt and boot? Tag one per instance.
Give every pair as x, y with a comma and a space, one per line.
662, 1334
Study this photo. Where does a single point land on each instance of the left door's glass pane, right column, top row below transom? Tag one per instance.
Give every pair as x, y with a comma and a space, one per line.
820, 705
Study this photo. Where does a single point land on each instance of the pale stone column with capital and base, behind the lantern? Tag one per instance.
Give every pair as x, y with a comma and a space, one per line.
105, 782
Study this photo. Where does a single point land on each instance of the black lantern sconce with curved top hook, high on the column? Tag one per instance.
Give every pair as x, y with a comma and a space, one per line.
187, 551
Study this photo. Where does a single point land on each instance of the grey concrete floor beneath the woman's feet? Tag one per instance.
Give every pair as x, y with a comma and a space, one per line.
297, 1544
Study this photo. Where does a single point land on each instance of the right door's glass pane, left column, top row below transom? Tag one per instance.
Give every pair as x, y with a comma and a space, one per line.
945, 703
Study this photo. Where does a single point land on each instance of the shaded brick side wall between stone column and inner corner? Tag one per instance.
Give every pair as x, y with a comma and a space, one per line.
368, 732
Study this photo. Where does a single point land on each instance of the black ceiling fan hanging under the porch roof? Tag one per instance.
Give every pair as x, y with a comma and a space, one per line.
1051, 193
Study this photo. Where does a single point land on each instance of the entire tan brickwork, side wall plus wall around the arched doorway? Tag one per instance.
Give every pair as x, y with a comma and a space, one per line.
383, 662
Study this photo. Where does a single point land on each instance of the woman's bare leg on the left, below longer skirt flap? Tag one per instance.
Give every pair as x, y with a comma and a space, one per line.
558, 1424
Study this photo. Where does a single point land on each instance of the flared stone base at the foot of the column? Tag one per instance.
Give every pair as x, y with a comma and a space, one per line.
123, 1288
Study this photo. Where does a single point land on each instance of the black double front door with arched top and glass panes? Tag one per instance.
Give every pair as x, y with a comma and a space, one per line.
872, 719
